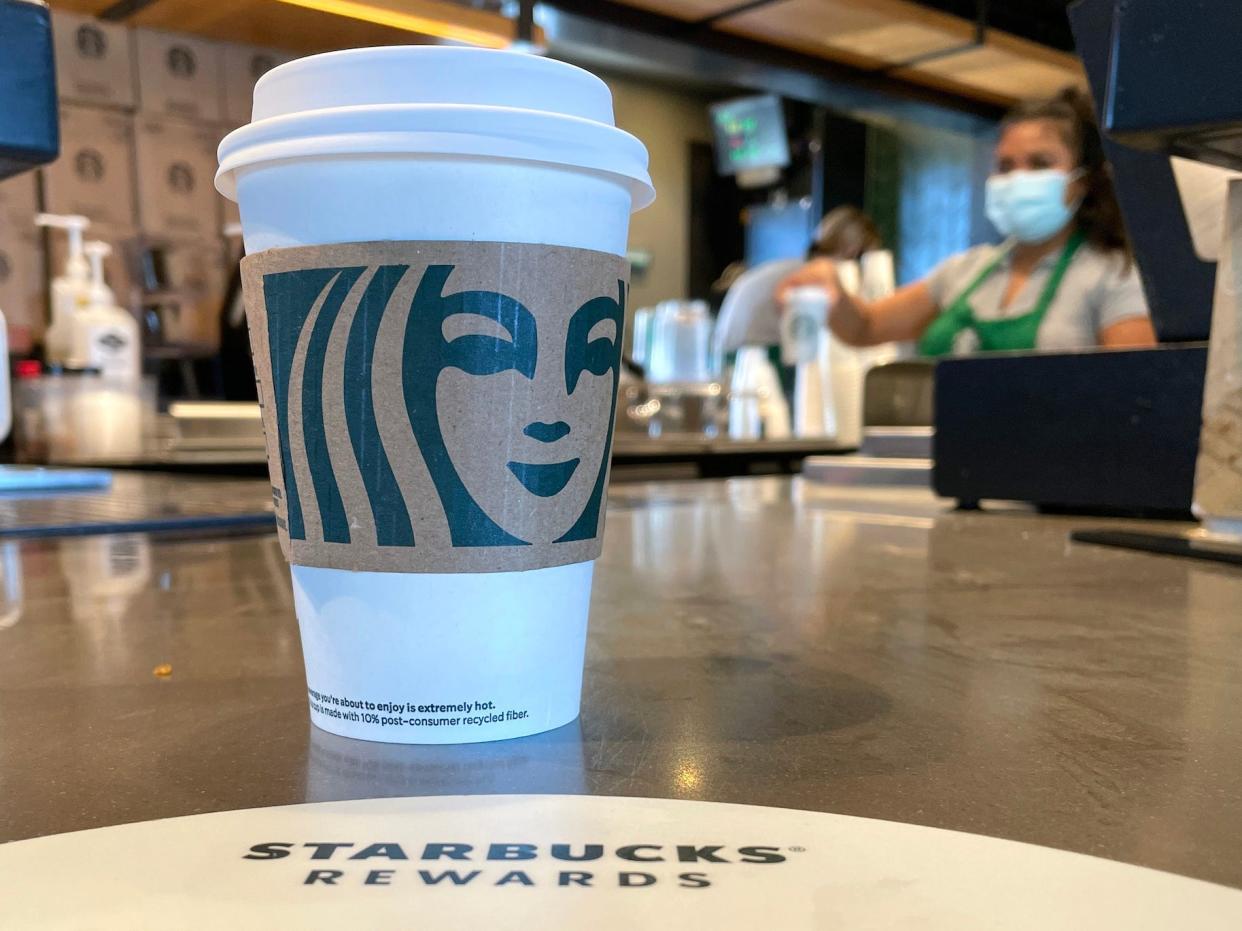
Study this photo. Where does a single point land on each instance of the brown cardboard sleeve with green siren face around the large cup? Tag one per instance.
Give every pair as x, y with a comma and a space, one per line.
438, 407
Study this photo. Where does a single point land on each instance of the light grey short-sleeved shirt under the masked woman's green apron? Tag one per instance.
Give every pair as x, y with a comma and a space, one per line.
1099, 290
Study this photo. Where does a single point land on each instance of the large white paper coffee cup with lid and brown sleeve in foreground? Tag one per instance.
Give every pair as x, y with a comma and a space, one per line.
437, 286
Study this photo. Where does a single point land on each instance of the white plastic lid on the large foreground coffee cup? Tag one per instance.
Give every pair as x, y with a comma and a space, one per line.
444, 101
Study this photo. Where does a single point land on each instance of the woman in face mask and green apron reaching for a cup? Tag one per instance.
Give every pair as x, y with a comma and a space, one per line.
1063, 280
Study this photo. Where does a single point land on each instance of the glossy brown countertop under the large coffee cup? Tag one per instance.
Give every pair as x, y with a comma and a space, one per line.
762, 641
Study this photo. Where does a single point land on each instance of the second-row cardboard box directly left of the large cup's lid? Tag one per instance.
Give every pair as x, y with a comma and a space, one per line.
177, 167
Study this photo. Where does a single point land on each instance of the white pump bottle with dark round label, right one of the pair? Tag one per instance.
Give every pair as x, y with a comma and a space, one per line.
105, 337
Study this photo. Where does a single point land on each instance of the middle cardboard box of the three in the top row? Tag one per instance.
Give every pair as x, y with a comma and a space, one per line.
178, 76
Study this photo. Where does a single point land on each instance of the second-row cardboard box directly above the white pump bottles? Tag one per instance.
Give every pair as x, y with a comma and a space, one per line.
95, 174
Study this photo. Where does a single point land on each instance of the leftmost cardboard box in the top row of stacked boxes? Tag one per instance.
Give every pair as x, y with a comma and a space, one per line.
94, 61
